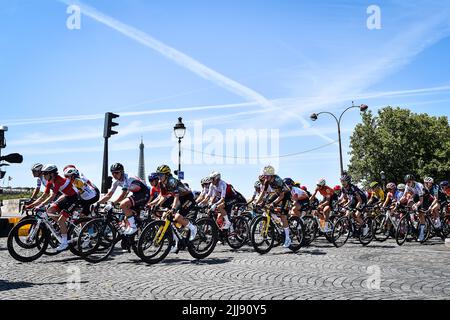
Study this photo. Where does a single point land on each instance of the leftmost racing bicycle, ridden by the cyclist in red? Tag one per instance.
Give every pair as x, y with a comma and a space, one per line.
38, 232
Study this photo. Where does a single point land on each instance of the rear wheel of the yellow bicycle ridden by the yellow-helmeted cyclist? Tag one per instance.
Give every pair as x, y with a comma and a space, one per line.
206, 239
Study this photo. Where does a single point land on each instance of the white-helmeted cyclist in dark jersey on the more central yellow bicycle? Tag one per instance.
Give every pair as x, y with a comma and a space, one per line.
282, 196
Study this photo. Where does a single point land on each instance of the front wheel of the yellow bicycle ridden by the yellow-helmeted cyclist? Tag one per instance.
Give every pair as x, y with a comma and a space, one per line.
152, 246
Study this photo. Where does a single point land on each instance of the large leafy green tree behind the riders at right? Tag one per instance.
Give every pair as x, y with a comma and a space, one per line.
399, 142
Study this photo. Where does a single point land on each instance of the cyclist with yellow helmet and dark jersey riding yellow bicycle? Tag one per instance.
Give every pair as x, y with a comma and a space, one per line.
183, 200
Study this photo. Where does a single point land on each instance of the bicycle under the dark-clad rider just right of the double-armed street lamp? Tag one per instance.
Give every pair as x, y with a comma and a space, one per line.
346, 227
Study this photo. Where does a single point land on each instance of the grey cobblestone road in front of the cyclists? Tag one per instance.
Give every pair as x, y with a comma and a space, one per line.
319, 272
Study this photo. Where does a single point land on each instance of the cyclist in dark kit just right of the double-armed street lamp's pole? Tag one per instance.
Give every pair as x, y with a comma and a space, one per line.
353, 198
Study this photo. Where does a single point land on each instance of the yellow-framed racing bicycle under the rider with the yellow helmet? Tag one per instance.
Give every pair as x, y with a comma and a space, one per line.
157, 238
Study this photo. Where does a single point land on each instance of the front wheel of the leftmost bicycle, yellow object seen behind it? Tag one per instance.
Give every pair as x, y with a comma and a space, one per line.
27, 240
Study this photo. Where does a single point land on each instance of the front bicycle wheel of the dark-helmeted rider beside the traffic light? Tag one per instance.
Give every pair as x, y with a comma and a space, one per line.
96, 240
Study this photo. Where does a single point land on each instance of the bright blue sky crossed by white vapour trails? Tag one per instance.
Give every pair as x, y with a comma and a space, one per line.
274, 62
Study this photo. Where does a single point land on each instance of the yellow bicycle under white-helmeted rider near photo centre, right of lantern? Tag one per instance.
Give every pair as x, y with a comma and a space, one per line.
267, 231
